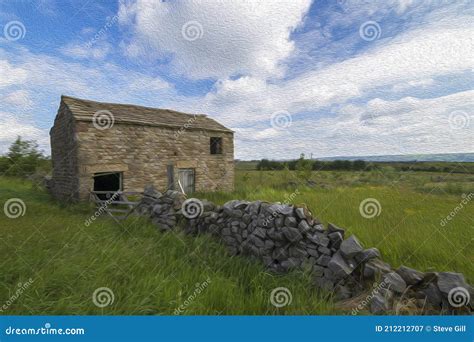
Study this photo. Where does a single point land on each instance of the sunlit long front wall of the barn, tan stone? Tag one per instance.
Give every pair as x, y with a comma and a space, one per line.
143, 153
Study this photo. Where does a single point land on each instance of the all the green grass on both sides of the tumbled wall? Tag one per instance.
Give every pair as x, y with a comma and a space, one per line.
150, 272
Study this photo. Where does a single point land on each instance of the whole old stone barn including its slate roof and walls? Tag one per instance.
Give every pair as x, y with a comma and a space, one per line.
99, 146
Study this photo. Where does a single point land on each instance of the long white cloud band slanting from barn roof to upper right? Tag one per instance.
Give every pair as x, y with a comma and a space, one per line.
435, 50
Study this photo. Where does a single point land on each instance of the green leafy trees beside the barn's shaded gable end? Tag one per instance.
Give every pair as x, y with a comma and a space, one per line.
24, 159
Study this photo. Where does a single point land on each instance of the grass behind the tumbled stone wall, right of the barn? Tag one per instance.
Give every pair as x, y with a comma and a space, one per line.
407, 230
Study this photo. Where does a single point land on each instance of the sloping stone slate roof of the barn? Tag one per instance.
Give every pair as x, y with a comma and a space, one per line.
84, 110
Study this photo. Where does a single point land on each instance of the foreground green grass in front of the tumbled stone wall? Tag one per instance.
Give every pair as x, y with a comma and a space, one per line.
149, 272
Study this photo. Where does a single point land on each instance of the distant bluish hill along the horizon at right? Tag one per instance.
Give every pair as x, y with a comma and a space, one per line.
442, 157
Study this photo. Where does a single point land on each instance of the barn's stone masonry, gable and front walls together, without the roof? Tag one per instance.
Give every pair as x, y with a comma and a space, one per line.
142, 152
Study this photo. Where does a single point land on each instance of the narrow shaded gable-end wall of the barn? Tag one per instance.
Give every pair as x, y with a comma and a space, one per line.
65, 182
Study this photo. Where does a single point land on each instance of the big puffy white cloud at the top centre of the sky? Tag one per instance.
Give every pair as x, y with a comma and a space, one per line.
236, 37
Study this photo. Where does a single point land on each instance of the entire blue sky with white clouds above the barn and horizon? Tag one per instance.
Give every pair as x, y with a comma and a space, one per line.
328, 78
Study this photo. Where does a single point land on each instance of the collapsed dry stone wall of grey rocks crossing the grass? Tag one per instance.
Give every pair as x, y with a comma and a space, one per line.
285, 237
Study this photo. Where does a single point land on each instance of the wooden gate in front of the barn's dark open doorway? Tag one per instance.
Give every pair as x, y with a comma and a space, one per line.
119, 204
